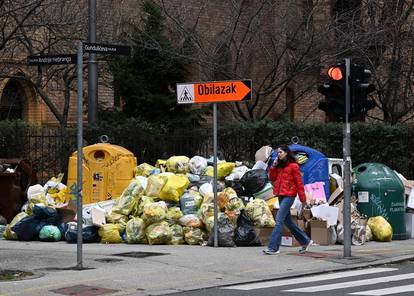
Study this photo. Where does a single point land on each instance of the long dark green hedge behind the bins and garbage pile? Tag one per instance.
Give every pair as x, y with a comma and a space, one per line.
390, 145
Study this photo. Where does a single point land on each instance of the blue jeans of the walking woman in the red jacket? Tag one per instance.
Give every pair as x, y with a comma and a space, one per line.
283, 217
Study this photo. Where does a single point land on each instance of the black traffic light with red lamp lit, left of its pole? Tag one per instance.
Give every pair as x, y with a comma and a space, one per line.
334, 91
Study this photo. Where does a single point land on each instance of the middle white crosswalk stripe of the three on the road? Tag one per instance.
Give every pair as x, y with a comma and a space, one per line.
353, 284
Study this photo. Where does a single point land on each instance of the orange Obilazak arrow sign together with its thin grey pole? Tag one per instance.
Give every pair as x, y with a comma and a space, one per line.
214, 92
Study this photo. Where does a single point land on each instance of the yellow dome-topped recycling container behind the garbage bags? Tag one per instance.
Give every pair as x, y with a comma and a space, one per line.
107, 171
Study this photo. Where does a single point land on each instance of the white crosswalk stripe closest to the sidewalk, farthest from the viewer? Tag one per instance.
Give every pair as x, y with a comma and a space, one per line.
310, 279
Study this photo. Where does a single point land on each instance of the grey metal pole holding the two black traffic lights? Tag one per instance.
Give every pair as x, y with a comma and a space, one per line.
347, 163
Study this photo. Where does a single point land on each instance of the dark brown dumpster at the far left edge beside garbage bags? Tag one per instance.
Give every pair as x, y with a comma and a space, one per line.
16, 175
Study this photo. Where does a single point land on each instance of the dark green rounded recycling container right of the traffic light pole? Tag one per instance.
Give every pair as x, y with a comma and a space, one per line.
380, 192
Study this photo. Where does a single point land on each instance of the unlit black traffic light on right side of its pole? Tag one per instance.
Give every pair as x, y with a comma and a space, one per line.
360, 89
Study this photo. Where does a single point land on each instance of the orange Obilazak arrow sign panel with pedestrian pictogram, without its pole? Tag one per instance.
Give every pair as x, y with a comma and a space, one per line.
214, 92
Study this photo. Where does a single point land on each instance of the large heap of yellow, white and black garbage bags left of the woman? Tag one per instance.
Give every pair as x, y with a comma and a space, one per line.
171, 202
